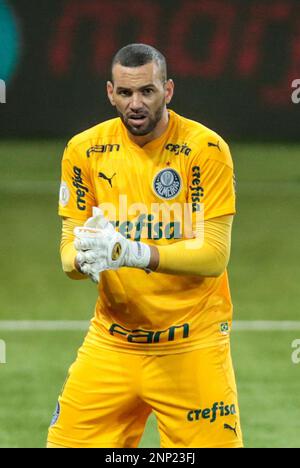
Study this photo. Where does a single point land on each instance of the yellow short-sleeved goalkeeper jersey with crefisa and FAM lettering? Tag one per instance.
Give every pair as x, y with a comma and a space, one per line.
153, 194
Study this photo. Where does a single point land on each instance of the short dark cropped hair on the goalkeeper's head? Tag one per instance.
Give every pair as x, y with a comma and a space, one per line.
136, 55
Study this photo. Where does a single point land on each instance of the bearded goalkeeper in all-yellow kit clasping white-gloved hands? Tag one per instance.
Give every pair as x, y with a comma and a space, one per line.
160, 337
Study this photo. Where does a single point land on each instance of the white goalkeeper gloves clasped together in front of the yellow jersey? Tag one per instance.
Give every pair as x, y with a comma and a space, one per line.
100, 247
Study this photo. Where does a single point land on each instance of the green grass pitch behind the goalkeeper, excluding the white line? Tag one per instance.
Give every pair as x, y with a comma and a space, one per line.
264, 275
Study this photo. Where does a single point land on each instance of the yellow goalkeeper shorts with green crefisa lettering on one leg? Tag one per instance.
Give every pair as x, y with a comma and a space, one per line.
109, 395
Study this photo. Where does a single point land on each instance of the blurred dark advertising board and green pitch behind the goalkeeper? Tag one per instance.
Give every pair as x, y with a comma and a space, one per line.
233, 63
